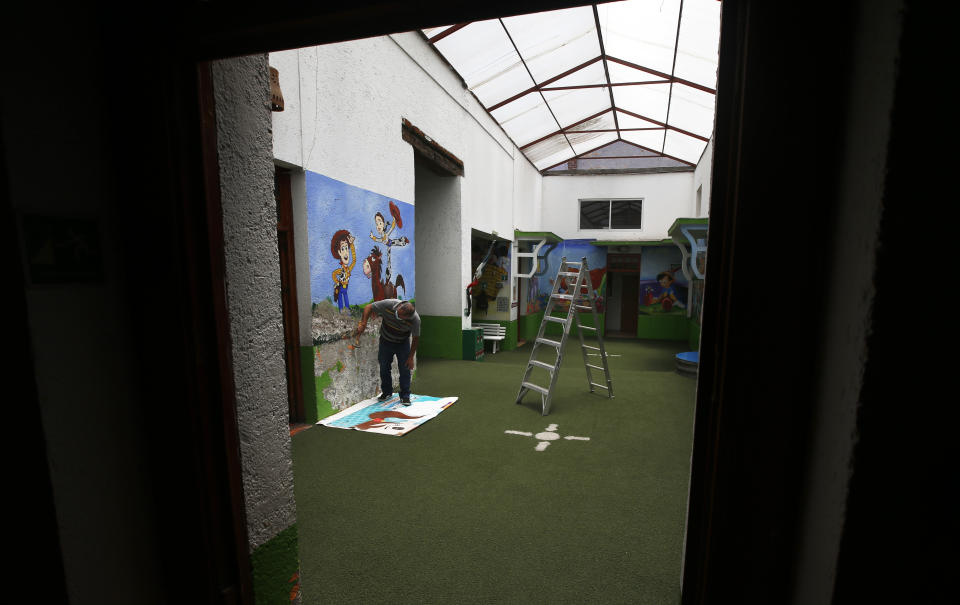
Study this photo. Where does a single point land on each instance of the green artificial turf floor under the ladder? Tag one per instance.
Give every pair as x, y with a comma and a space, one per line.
457, 511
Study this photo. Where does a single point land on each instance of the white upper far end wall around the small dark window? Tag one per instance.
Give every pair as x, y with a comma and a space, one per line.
666, 197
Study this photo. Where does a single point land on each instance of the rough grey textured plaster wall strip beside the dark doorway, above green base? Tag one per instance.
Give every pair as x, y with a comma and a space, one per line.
253, 290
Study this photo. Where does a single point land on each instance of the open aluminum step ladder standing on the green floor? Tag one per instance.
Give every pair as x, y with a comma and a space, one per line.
581, 299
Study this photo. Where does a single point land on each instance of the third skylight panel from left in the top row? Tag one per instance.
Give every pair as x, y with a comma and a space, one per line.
641, 32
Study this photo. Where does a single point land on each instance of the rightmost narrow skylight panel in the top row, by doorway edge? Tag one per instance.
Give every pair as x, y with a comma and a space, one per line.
698, 46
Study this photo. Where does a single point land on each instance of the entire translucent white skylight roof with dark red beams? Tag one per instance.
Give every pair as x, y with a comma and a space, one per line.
683, 124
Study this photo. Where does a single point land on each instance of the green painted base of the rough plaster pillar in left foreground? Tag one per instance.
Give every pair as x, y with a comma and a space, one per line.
276, 569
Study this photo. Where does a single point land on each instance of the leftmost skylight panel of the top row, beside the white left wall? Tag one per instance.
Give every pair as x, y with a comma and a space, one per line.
480, 52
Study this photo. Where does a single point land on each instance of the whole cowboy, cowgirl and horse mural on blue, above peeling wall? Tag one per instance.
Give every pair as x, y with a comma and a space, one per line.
384, 265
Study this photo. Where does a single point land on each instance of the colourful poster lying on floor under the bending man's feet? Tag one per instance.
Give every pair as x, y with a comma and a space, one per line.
389, 417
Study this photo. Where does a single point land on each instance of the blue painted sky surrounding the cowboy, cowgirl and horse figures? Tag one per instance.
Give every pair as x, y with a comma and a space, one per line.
332, 206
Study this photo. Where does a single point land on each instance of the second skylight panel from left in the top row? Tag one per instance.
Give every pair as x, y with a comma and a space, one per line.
555, 41
